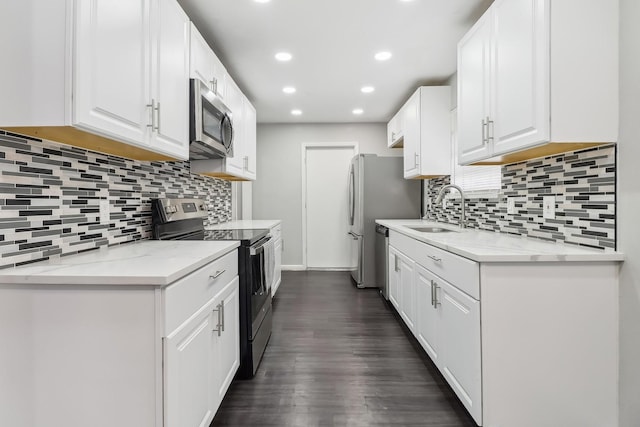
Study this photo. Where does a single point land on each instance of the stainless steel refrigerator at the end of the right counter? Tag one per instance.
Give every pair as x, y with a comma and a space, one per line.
377, 190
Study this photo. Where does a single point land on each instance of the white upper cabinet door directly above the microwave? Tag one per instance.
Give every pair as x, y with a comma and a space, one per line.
205, 65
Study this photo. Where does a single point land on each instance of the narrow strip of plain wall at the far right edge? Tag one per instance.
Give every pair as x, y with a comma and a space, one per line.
629, 212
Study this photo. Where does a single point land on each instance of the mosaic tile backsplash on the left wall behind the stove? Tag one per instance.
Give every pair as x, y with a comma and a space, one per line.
50, 198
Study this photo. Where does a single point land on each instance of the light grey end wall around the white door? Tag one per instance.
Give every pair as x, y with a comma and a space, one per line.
277, 193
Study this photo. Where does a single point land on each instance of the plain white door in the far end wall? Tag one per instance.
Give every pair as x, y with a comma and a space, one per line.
326, 171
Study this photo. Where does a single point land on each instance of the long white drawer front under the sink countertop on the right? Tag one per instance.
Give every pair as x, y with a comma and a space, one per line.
459, 271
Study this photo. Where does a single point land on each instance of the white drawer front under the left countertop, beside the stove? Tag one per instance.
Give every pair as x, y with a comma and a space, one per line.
187, 295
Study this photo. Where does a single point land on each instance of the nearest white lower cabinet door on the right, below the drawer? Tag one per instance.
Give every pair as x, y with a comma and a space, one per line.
460, 335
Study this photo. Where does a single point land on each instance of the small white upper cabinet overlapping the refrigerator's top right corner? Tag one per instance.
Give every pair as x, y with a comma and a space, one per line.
427, 133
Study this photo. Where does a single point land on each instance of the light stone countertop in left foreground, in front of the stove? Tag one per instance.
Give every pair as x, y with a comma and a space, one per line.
146, 262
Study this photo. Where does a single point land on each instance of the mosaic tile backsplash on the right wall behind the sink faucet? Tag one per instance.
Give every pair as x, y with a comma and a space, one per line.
584, 186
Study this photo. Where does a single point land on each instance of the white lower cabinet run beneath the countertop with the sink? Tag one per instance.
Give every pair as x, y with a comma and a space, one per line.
524, 344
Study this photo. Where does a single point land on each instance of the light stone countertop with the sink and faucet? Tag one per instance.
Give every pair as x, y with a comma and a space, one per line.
488, 246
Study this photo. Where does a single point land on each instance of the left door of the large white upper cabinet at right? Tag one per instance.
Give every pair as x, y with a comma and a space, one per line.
474, 91
